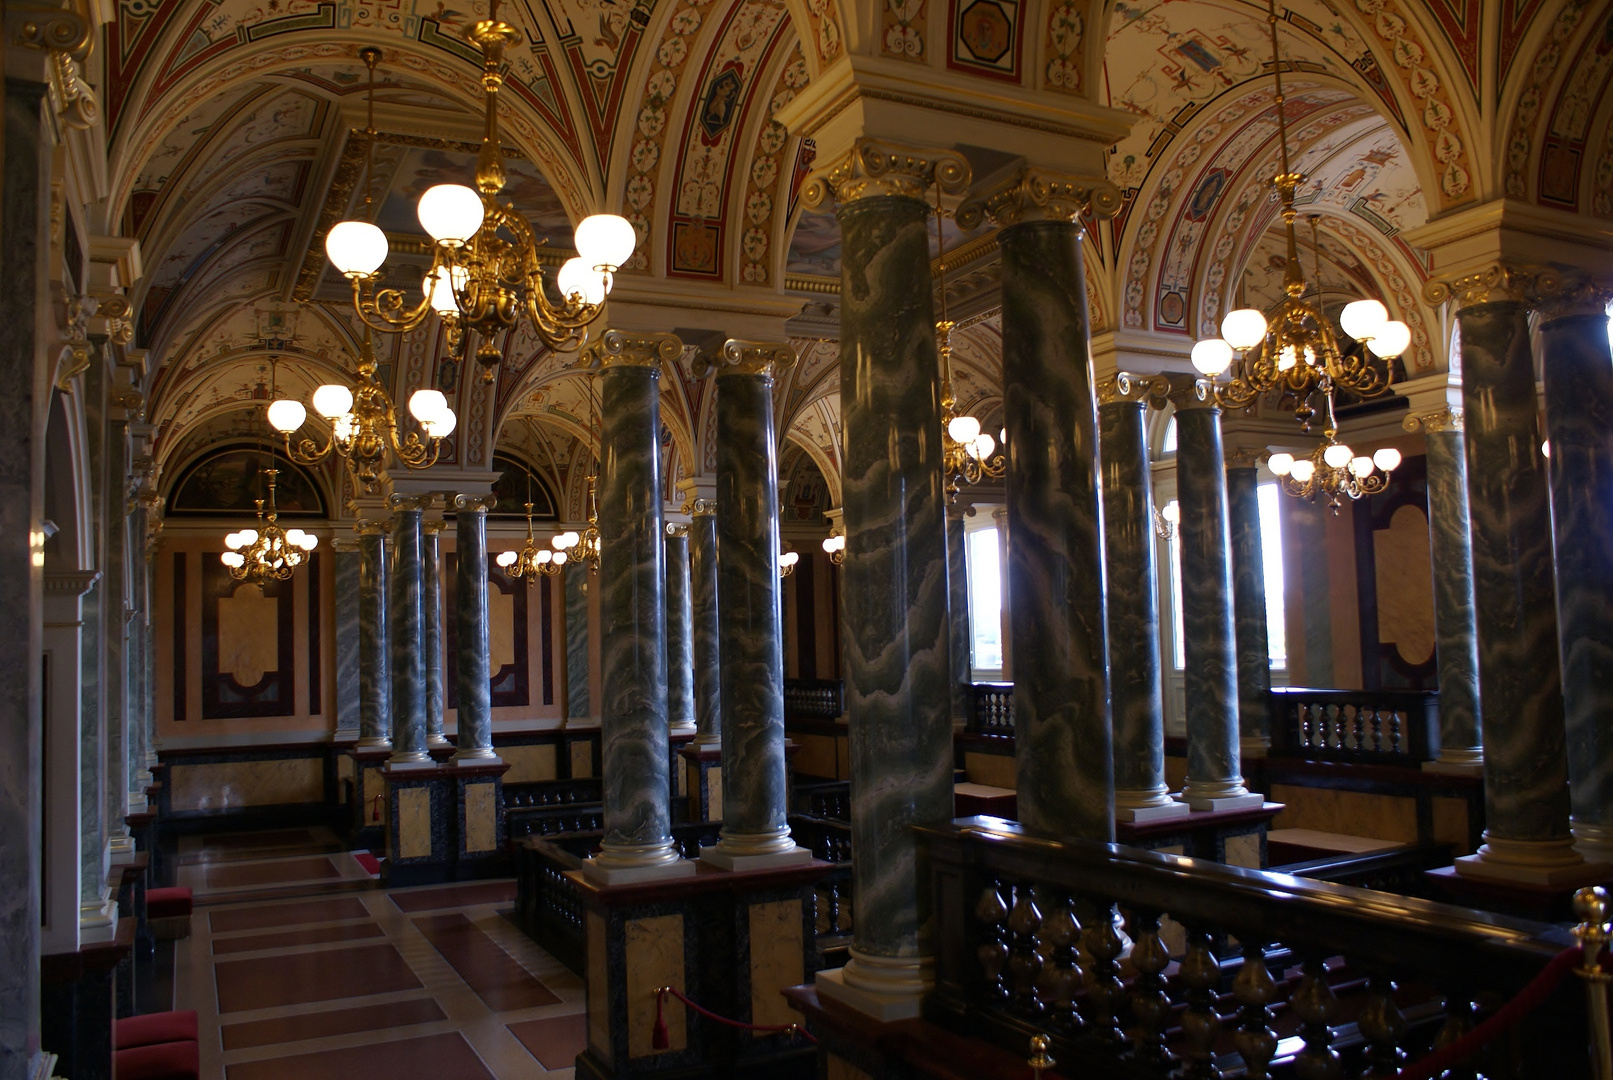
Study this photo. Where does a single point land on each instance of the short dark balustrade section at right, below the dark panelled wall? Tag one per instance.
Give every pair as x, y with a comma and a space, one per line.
1356, 726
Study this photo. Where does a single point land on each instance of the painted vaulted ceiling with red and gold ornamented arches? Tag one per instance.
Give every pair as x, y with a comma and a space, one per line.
236, 141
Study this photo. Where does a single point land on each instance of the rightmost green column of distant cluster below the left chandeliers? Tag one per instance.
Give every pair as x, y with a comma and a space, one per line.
473, 689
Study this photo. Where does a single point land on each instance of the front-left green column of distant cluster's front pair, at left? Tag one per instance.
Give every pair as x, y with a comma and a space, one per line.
406, 618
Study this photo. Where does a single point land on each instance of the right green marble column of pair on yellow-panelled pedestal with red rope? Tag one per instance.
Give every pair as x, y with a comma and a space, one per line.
751, 639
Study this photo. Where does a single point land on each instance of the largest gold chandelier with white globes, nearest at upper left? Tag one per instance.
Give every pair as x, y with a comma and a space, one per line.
485, 273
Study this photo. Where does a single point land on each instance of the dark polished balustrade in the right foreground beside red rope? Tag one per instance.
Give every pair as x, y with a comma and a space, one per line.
1230, 971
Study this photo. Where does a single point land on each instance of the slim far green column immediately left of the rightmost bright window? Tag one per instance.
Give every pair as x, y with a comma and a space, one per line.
1249, 605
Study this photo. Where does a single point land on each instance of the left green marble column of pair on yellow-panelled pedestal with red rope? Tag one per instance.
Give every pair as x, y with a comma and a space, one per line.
638, 841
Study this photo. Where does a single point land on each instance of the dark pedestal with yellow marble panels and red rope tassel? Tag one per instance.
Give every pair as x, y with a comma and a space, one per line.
731, 942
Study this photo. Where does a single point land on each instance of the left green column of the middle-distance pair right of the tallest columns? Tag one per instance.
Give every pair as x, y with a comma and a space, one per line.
1136, 699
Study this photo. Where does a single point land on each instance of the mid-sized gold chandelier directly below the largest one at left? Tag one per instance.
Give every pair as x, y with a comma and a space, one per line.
365, 425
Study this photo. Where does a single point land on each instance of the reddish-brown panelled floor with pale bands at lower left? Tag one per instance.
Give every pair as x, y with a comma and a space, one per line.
301, 966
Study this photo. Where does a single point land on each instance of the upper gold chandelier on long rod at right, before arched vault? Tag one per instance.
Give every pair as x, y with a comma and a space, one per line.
1296, 351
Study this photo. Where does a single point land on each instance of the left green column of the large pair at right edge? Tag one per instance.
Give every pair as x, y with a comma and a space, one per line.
1520, 681
